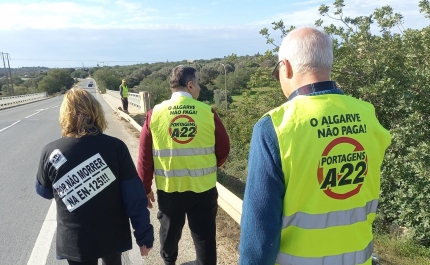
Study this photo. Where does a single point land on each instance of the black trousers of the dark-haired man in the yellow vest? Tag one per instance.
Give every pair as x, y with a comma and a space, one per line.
201, 210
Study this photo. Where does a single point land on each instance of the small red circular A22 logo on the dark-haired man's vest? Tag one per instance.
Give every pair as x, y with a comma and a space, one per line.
183, 129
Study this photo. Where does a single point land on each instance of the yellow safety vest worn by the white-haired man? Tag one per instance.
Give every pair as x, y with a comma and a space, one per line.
332, 147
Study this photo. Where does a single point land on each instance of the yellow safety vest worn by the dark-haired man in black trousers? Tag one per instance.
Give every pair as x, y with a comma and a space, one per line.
183, 145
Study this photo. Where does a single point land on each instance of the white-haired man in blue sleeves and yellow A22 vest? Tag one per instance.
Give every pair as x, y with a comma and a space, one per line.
314, 166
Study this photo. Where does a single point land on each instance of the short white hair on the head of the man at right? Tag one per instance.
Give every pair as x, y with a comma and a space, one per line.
310, 52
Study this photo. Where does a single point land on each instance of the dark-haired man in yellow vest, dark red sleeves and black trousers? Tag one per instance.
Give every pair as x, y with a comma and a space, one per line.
182, 143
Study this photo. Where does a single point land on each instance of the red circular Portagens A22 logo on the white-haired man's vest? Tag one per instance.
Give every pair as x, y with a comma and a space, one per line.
342, 171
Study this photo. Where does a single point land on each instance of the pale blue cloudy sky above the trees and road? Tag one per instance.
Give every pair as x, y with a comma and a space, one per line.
123, 32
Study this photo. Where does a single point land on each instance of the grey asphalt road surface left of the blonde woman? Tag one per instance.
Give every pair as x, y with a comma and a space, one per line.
24, 130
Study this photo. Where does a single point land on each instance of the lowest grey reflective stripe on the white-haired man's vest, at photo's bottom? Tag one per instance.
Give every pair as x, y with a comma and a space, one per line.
351, 258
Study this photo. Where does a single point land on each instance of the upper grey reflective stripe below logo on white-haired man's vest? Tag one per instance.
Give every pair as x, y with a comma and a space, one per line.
335, 218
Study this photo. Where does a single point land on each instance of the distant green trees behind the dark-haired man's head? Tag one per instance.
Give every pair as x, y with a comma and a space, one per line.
155, 77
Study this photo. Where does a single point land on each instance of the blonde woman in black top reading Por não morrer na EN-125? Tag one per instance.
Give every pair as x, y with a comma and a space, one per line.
95, 185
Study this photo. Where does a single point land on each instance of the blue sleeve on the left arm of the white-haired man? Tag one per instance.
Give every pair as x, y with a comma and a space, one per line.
263, 201
